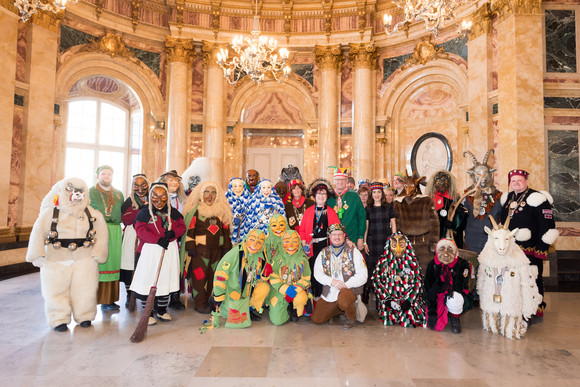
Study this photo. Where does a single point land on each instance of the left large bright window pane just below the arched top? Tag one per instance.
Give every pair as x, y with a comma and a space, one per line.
82, 121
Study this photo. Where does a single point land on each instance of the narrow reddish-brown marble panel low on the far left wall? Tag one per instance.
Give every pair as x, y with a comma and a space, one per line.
15, 164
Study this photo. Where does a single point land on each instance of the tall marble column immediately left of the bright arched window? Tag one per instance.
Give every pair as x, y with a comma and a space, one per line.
37, 176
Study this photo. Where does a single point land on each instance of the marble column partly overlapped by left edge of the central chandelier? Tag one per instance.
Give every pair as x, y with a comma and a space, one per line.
214, 111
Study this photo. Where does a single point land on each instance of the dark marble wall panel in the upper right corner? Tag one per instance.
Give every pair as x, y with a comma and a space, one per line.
560, 41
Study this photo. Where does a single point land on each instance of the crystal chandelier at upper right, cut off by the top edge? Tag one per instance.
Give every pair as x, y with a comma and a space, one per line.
432, 12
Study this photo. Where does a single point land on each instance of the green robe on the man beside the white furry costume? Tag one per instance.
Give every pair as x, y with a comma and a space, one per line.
110, 270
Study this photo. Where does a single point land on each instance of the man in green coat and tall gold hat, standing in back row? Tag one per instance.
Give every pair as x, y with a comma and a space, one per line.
349, 208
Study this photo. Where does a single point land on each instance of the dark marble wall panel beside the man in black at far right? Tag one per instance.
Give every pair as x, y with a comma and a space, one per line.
564, 174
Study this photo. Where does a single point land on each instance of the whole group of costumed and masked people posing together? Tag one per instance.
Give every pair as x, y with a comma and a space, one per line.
317, 251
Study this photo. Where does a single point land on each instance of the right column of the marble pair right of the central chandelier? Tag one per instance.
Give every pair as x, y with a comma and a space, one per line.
363, 57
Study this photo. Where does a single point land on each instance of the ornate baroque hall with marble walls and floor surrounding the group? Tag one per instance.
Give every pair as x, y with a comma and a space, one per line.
358, 95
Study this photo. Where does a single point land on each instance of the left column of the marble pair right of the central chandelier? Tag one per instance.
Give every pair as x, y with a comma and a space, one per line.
329, 61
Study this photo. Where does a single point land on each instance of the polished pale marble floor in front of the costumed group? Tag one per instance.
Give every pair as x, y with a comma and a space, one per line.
176, 354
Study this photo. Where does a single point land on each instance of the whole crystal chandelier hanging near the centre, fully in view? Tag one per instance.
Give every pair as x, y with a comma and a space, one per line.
255, 56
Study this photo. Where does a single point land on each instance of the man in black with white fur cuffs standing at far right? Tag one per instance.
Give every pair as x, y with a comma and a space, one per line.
530, 211
